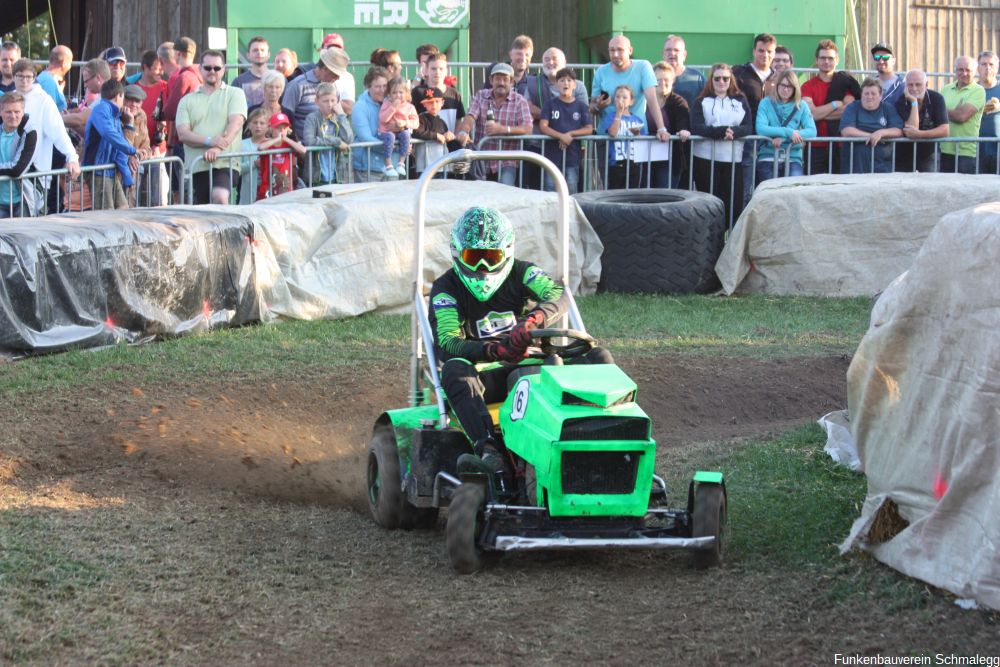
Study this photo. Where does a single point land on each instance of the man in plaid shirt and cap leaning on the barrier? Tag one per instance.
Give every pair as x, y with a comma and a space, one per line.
498, 111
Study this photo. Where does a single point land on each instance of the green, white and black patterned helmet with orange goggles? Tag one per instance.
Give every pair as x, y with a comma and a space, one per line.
482, 250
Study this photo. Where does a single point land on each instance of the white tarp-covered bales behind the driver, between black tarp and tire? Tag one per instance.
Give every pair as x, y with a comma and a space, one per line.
353, 253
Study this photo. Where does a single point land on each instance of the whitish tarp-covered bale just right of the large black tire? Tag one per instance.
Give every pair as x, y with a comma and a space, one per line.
832, 235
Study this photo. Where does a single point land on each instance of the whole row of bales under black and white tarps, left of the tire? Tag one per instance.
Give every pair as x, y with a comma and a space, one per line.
94, 278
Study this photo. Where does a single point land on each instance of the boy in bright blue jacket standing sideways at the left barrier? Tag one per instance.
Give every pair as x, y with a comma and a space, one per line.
105, 143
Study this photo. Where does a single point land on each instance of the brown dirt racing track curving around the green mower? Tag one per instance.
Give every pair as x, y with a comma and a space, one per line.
233, 516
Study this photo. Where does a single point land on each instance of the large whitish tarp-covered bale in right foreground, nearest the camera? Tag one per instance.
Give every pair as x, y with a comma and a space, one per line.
924, 399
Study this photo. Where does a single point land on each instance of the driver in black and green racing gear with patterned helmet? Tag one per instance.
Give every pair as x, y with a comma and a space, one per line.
483, 311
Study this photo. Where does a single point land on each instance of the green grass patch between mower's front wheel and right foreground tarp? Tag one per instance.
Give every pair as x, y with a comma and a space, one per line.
790, 507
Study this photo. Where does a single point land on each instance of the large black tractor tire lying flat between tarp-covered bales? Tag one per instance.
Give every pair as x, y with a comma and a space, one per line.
657, 240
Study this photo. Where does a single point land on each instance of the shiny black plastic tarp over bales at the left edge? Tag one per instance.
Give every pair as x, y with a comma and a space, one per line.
83, 280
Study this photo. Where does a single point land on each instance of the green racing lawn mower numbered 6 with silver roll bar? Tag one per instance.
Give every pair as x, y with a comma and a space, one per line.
578, 446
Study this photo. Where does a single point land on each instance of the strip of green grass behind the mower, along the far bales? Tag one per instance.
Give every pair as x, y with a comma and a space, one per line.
757, 326
